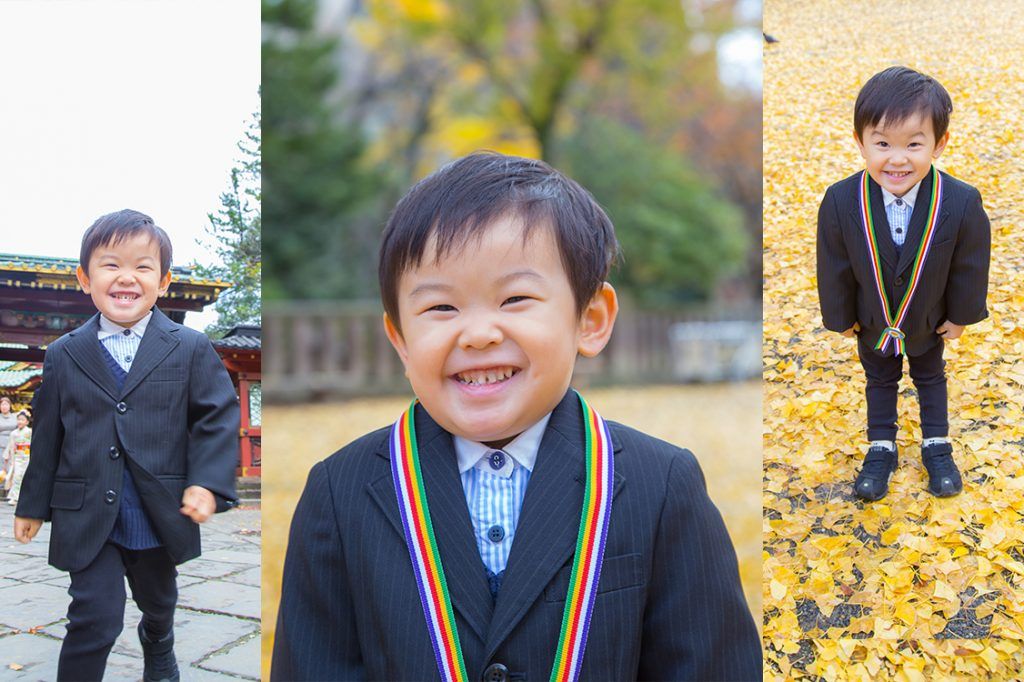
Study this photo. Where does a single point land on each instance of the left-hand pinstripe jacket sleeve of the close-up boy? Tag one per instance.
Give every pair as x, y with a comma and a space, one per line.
316, 638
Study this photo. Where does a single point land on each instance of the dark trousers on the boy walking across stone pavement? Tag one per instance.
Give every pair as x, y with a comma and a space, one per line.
96, 617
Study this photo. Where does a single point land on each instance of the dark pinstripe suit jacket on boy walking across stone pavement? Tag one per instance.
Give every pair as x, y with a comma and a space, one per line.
175, 424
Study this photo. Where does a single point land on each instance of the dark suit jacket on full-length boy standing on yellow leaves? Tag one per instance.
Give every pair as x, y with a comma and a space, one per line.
955, 281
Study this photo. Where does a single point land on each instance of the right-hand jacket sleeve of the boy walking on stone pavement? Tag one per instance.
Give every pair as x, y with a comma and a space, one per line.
214, 425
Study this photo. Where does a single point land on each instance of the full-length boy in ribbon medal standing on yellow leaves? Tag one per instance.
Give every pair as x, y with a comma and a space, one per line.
904, 266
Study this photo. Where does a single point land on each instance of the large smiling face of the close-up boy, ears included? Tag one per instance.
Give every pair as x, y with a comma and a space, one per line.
490, 335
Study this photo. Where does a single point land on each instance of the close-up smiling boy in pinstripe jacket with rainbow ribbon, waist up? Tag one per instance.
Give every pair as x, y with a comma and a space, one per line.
493, 277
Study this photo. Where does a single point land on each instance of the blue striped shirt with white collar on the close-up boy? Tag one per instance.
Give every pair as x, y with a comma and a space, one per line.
495, 483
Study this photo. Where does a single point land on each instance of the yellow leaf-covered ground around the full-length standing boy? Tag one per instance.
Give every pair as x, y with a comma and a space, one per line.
913, 587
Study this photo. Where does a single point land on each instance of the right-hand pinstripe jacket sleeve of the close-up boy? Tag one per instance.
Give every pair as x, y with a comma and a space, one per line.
698, 625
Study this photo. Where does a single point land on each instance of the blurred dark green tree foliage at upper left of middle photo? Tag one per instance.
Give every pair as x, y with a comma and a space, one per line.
316, 185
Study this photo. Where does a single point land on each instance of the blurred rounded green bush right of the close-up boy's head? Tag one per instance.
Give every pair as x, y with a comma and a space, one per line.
679, 239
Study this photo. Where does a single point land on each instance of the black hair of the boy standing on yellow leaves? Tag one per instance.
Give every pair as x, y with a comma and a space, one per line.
898, 94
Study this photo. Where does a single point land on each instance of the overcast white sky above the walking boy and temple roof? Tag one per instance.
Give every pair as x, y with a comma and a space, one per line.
121, 104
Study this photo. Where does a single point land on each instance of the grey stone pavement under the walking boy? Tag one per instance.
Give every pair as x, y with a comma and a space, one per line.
218, 624
